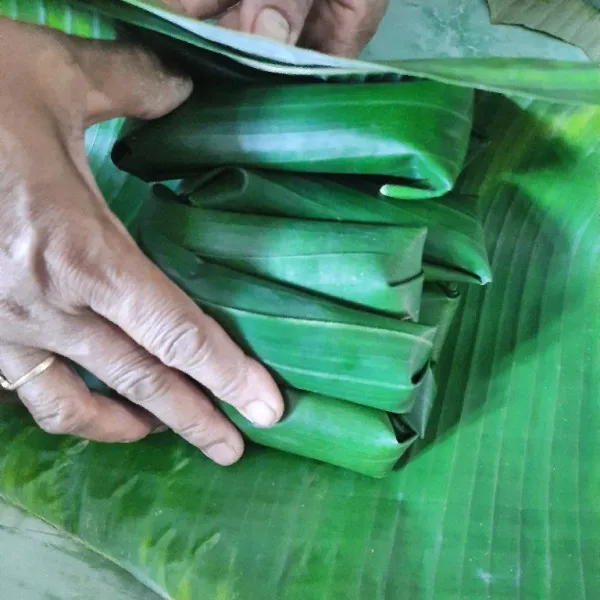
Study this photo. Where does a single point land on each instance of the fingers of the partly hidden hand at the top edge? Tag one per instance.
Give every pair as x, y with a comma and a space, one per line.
337, 27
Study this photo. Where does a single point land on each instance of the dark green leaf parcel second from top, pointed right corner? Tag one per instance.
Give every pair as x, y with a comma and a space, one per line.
454, 248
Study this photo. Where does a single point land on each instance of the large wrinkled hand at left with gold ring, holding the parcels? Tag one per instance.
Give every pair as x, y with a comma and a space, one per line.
74, 282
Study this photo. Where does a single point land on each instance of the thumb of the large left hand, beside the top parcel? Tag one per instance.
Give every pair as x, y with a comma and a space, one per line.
125, 80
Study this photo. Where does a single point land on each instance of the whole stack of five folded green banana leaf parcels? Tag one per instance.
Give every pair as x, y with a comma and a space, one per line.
317, 224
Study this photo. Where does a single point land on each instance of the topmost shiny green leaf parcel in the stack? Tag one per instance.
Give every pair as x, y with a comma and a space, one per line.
414, 134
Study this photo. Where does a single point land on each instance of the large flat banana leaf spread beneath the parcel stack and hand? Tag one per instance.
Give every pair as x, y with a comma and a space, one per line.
501, 498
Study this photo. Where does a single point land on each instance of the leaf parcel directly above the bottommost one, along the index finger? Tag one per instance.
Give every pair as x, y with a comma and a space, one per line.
311, 343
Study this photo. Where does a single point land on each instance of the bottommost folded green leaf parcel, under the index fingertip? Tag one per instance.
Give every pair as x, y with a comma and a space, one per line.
358, 438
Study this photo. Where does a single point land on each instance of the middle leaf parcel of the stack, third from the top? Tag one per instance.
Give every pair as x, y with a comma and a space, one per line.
375, 266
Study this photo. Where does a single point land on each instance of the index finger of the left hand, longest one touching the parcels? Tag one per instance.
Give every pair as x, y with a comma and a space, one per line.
159, 317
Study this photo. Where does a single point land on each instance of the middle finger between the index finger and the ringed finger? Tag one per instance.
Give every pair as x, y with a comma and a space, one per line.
104, 350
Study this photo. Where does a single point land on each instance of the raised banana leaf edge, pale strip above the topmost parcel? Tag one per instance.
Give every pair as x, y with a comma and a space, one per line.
553, 80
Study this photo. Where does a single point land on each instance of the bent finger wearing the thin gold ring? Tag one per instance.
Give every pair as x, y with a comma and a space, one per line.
60, 402
